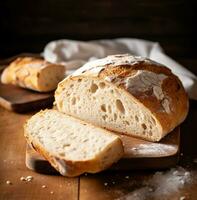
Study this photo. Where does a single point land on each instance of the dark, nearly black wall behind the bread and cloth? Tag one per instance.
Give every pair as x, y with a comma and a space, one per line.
27, 25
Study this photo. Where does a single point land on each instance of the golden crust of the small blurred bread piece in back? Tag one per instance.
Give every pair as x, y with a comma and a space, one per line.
26, 72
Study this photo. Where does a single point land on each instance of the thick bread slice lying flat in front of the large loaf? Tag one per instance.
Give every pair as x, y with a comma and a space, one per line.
71, 145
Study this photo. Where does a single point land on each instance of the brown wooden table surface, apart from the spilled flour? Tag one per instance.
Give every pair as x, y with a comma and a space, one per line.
106, 185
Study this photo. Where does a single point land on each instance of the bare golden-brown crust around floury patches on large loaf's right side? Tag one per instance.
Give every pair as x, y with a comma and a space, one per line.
171, 86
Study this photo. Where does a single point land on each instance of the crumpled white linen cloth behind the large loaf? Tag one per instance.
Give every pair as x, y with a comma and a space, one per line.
74, 54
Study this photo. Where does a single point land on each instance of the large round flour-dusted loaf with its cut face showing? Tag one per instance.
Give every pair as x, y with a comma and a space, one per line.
126, 94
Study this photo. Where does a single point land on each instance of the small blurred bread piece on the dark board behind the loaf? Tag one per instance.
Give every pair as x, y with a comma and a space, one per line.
33, 73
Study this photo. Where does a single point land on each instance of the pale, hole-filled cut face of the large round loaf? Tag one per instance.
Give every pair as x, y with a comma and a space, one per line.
101, 103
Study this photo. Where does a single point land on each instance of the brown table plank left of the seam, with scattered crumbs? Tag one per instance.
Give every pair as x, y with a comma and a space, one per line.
12, 166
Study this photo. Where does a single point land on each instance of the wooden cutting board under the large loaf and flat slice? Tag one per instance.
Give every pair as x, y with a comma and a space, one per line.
139, 154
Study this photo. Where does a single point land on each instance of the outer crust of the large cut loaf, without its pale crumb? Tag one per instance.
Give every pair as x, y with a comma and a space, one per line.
174, 95
